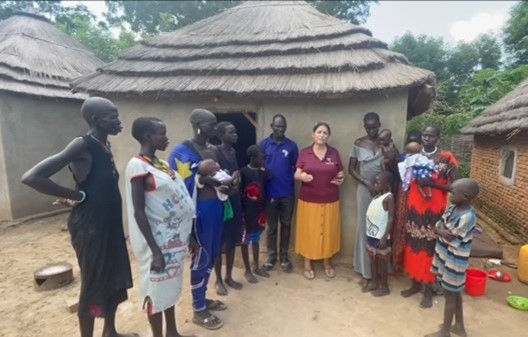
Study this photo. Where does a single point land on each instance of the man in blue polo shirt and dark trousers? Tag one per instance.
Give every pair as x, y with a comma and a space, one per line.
281, 157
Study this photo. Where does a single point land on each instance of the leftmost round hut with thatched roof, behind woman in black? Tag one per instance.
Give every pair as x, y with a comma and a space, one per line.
38, 112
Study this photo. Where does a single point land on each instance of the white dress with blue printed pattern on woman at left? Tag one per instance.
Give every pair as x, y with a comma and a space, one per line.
169, 210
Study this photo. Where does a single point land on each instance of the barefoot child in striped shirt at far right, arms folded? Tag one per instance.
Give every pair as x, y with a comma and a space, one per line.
451, 259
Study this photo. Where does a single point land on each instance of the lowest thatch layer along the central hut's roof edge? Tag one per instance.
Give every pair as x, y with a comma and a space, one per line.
393, 75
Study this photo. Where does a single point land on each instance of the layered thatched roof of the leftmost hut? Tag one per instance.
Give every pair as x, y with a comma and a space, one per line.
37, 58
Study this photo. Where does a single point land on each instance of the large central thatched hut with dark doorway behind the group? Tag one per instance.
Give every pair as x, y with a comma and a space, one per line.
260, 59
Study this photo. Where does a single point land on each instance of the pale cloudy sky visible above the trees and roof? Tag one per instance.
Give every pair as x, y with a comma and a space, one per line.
454, 21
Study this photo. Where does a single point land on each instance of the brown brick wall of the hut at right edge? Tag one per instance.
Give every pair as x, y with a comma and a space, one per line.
506, 205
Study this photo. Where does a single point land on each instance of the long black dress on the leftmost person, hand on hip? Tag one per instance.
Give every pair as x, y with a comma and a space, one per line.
96, 228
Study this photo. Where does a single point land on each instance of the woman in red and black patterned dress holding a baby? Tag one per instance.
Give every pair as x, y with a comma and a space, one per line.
422, 215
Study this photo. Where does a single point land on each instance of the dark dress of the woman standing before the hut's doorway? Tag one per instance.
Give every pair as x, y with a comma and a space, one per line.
233, 229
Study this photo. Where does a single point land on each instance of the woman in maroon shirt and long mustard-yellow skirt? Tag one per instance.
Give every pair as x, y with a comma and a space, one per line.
318, 228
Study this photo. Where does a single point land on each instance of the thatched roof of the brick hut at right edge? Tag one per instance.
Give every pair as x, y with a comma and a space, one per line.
510, 114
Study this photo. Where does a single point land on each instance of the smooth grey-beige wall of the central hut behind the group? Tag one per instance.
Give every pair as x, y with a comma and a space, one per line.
345, 117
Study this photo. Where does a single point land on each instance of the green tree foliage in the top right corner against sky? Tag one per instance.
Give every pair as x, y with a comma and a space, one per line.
516, 33
